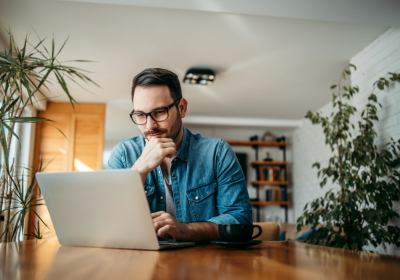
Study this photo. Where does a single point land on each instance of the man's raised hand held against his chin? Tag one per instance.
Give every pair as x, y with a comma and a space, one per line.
155, 151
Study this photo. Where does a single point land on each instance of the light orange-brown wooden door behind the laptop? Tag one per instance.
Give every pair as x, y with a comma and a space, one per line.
78, 147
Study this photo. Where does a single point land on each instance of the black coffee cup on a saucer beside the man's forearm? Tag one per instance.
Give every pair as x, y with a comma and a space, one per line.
237, 233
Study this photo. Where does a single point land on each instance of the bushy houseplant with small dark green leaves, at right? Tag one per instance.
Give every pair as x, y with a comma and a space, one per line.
359, 212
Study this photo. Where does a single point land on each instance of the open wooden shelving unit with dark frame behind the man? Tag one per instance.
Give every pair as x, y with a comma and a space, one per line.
282, 184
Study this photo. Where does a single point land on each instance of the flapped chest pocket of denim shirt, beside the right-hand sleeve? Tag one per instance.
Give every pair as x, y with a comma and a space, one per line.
202, 201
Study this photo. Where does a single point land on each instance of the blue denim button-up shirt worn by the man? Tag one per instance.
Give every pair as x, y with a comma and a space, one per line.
207, 180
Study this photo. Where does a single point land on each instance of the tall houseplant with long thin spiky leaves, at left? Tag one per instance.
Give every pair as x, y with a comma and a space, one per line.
24, 73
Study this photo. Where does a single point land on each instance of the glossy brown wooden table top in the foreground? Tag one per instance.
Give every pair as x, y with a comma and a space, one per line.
269, 260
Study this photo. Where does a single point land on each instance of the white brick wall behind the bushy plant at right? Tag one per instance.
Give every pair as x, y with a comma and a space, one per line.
373, 62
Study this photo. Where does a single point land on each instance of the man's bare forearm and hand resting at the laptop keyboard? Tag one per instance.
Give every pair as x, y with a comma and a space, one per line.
168, 227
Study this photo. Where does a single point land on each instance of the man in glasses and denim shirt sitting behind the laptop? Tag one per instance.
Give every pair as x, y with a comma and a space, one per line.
193, 183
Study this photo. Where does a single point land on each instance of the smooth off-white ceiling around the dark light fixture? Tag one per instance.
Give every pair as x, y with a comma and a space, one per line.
274, 59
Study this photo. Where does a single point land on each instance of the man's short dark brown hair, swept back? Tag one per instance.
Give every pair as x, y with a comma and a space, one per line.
158, 76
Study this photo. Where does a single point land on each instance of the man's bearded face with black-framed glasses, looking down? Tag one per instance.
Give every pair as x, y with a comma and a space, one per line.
146, 99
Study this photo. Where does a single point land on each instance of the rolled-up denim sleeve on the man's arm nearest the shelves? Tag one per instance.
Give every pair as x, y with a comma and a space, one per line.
233, 201
